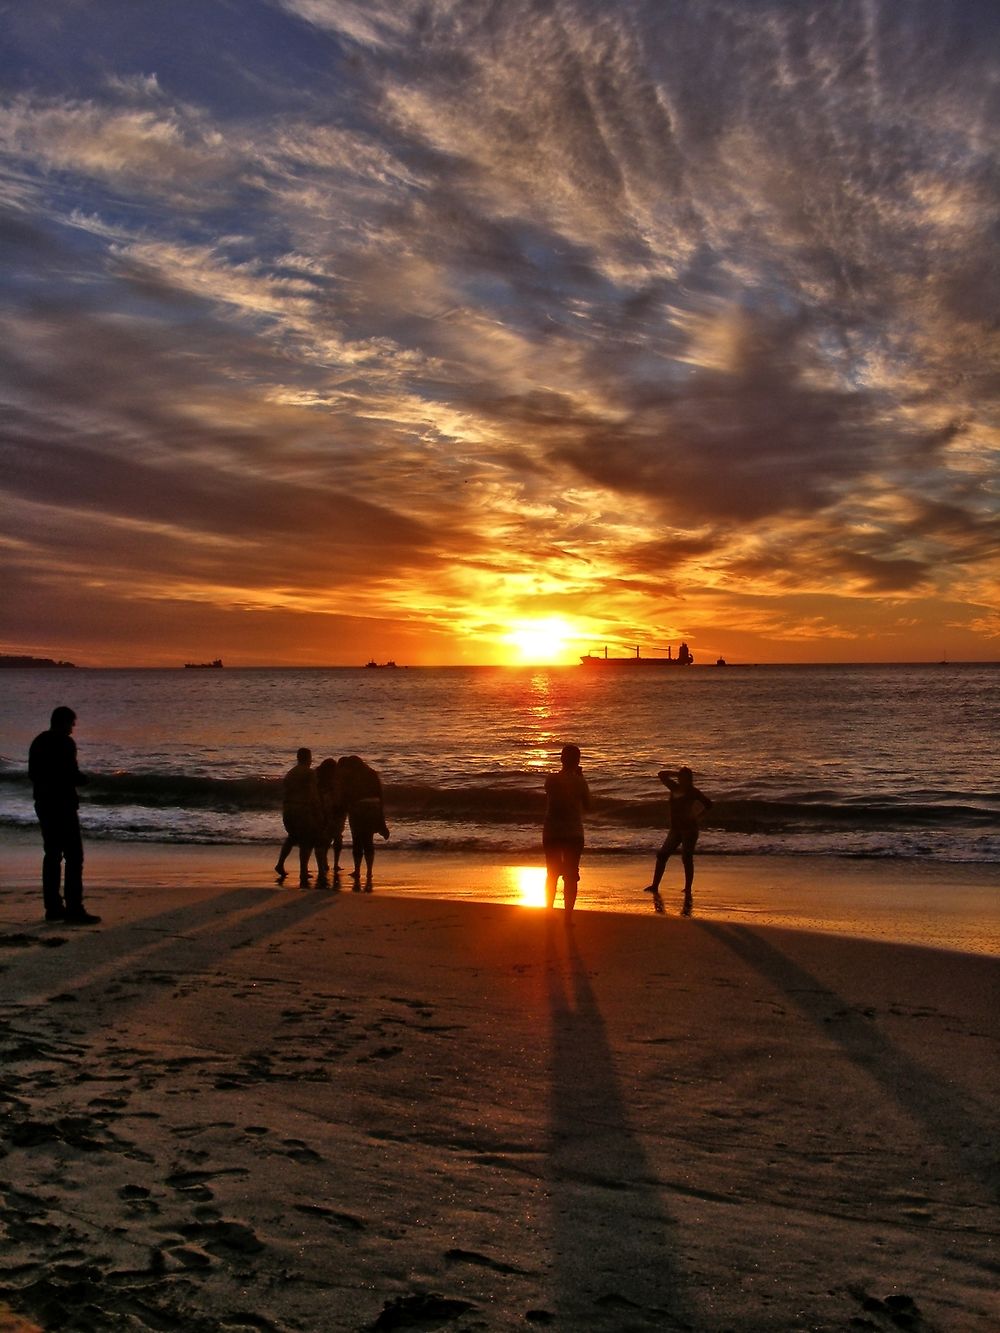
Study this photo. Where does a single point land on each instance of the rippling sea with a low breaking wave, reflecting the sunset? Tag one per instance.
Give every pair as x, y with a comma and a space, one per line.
859, 762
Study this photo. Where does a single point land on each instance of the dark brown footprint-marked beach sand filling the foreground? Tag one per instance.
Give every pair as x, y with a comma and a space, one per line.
255, 1110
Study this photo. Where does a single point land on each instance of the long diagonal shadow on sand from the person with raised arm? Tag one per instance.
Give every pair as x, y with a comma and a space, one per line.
949, 1115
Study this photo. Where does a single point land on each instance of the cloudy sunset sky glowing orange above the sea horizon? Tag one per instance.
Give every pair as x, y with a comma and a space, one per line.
482, 331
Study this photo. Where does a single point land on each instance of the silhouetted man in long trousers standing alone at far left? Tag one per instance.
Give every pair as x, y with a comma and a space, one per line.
55, 779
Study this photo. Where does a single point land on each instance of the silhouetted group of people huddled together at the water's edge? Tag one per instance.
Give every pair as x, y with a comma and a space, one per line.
317, 804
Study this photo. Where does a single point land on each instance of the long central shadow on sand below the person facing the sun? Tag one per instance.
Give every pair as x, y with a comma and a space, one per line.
610, 1230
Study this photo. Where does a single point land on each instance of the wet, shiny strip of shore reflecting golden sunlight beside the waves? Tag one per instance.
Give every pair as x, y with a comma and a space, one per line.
935, 906
